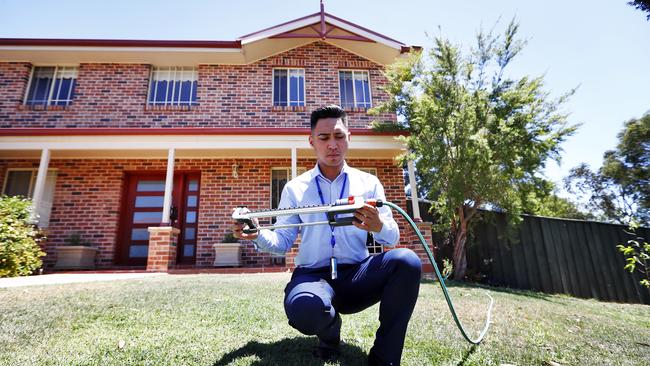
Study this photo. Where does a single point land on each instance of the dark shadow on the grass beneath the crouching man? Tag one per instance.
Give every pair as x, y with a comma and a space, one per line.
290, 351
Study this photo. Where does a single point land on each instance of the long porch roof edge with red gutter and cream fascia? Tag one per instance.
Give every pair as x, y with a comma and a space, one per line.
23, 143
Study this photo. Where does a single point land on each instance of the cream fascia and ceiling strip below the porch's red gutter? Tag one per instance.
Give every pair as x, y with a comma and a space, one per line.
186, 146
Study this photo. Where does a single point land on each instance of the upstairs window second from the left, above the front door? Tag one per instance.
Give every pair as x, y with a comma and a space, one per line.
173, 86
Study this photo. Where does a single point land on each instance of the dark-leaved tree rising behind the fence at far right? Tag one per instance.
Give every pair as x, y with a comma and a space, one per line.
620, 190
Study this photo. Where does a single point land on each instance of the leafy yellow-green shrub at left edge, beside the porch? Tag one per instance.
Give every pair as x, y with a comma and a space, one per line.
19, 250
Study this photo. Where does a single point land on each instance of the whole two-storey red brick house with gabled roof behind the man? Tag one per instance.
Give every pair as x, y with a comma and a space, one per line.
123, 141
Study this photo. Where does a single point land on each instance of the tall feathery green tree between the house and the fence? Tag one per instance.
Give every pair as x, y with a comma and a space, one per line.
478, 138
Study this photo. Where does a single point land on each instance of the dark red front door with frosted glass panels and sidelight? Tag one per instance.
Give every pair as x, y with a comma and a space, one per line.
143, 208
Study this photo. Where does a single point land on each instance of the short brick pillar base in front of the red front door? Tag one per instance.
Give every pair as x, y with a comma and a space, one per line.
162, 248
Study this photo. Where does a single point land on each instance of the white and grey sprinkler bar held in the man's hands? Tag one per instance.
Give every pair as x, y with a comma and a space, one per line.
340, 207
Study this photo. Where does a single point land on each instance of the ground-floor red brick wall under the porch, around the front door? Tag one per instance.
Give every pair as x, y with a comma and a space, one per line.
89, 192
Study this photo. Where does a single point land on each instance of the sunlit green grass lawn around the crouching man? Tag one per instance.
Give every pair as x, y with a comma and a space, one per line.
239, 320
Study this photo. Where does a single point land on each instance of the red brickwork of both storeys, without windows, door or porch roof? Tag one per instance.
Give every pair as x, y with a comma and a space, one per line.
89, 192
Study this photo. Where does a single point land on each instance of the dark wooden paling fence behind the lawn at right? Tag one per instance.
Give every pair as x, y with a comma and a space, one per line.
551, 255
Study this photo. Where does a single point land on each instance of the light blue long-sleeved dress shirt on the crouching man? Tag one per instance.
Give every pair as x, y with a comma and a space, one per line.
315, 248
